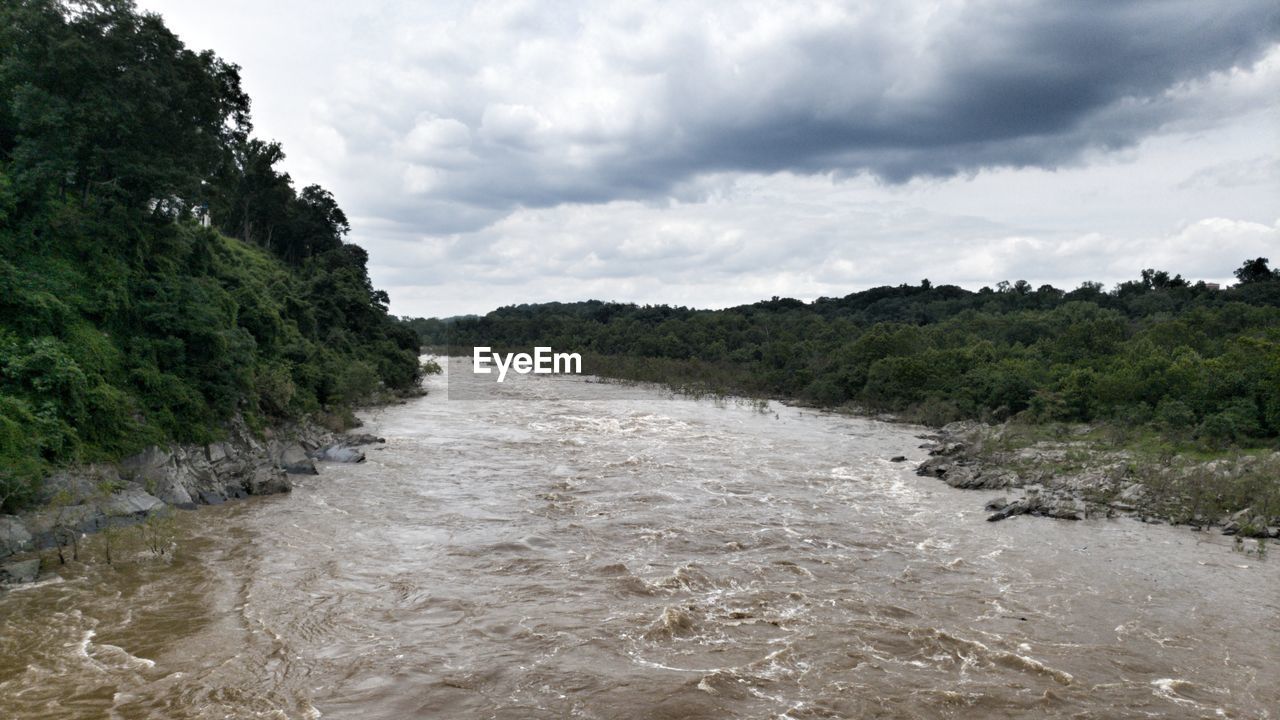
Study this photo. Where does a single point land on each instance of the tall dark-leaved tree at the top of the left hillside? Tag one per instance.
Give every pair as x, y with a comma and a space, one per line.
107, 102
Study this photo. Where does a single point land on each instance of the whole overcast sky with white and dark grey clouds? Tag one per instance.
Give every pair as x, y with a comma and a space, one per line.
714, 154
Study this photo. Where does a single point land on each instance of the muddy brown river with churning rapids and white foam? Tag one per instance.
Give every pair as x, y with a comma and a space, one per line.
598, 552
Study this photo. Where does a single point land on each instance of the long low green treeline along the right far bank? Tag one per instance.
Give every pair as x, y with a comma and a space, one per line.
1188, 359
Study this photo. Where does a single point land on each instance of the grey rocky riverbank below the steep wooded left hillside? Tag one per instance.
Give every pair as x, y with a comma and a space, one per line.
94, 498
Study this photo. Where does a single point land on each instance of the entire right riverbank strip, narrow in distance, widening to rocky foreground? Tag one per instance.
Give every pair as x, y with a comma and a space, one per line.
1057, 470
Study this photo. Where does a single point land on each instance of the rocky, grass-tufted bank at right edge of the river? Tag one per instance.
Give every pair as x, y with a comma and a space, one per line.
1073, 479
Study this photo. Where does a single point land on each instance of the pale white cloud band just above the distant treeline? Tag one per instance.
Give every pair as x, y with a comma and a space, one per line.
785, 235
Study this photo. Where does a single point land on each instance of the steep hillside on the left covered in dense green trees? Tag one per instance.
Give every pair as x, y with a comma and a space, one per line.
125, 321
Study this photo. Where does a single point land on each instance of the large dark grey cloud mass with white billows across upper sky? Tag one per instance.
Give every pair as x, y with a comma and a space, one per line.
518, 104
